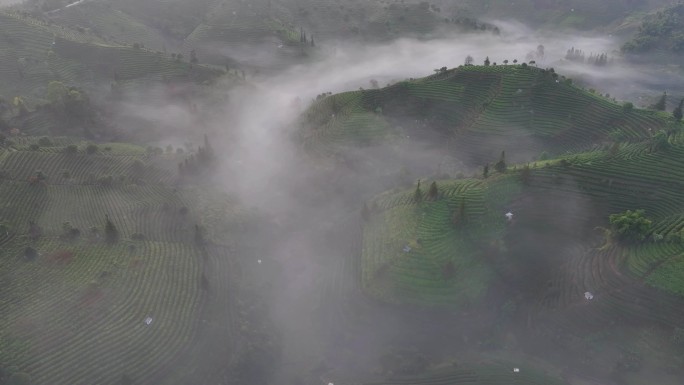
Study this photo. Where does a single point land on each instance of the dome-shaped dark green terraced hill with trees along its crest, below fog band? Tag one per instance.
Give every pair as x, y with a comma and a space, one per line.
478, 111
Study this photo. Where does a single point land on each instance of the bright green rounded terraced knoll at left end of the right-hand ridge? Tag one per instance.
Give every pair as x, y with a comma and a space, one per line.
428, 250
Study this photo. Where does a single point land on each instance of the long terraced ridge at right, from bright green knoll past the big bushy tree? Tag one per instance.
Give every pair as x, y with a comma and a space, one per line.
556, 205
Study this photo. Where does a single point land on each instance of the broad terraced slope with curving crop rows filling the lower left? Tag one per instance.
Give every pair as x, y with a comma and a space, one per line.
81, 301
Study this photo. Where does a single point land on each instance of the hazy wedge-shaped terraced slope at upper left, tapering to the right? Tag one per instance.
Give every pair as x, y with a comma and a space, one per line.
35, 53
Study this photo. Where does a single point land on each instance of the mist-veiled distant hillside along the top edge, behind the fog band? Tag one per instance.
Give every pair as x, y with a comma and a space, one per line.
225, 32
